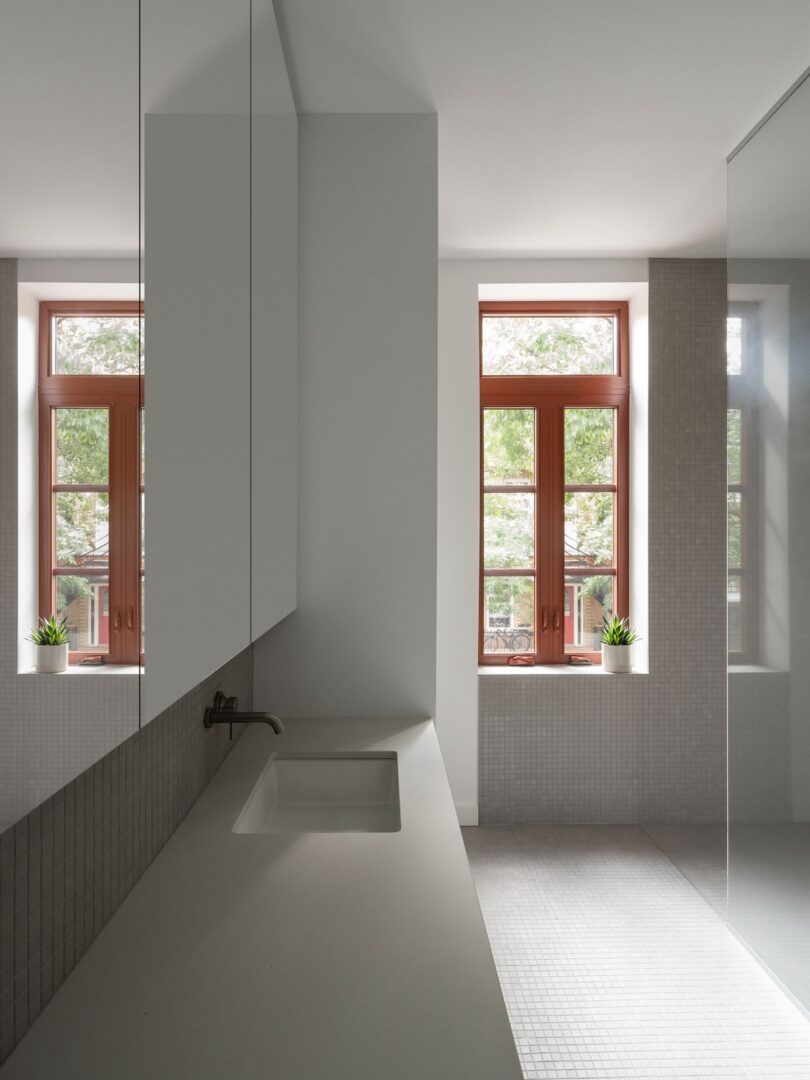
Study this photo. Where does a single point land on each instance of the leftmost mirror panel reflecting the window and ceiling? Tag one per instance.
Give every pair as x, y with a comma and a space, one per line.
70, 269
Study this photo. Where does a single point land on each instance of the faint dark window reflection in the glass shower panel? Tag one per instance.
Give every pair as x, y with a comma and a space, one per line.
744, 369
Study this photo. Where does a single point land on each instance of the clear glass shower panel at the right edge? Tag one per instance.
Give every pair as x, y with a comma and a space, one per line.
768, 339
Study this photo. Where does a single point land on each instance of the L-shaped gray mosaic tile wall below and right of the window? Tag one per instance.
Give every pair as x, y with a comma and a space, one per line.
593, 748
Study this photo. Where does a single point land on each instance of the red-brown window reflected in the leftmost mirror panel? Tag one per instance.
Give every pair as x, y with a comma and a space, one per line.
91, 475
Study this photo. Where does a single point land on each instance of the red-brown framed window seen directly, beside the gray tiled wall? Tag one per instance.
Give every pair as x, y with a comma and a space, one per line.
555, 478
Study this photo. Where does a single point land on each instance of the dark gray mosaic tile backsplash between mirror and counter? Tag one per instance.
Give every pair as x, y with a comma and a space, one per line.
69, 865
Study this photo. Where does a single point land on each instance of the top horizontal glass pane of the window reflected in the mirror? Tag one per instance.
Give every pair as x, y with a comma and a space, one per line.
98, 345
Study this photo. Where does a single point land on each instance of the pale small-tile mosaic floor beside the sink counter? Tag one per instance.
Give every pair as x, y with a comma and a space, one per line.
614, 966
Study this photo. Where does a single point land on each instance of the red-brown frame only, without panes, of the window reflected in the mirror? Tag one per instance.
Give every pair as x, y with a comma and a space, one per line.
124, 396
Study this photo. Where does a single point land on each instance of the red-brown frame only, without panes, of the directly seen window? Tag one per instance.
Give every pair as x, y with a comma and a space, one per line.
550, 396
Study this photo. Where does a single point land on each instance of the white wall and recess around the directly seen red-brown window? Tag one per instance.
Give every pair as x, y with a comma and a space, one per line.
461, 285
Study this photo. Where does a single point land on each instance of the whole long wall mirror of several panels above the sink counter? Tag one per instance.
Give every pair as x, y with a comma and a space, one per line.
178, 193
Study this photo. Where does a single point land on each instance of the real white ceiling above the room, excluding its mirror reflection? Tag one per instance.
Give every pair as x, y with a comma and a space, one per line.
566, 127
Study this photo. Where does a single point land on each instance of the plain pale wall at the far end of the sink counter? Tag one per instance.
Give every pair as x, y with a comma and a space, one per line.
362, 641
